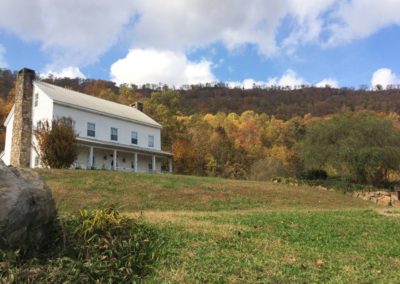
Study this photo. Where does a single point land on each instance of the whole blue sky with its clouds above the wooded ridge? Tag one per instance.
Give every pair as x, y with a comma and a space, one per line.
345, 43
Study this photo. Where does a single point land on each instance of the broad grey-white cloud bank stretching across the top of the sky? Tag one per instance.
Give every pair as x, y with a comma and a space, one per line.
77, 32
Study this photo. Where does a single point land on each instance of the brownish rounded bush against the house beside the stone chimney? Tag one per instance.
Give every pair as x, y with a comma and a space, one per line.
56, 143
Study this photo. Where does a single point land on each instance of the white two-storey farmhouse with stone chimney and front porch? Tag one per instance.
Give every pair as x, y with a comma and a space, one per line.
110, 135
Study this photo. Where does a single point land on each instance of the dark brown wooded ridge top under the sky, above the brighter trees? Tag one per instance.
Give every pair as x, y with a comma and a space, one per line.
281, 102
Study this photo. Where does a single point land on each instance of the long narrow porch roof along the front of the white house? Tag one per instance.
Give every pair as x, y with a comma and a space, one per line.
122, 147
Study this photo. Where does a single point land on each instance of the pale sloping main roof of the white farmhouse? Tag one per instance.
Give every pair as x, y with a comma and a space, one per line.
85, 102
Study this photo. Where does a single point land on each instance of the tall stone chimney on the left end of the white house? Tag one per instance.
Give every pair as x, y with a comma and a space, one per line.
22, 127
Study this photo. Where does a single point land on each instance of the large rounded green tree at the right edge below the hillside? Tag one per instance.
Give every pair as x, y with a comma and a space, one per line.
361, 146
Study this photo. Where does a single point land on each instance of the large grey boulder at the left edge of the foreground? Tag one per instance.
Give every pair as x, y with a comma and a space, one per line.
27, 208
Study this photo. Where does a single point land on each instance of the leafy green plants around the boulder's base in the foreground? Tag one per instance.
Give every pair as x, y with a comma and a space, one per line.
99, 246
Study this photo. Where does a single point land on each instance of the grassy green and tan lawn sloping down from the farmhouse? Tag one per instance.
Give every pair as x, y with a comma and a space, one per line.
226, 231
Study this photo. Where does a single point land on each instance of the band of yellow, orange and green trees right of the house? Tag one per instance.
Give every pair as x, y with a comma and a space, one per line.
362, 146
